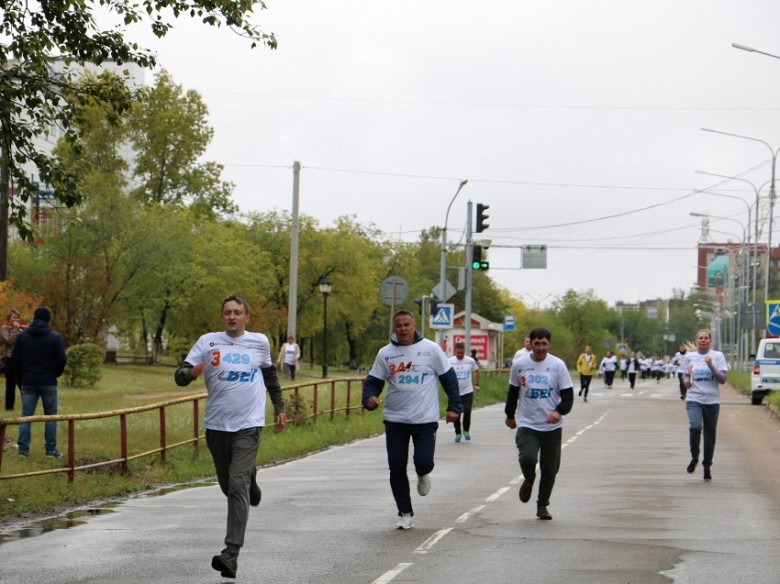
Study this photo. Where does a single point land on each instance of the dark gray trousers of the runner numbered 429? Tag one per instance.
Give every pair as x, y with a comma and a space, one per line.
234, 456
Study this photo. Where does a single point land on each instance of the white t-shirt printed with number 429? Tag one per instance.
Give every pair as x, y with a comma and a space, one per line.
236, 389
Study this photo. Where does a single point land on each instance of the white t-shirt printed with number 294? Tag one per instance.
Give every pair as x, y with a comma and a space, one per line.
412, 373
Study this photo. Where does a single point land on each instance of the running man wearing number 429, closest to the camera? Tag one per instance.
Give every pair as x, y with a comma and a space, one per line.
238, 370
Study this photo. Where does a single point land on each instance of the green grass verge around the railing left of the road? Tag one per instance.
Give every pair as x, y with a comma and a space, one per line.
129, 386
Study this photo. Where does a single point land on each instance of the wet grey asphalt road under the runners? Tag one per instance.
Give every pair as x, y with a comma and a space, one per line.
625, 512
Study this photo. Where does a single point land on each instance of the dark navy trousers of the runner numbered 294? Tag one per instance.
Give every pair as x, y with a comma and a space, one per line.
397, 437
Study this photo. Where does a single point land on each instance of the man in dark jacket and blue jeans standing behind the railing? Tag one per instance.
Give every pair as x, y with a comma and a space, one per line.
39, 359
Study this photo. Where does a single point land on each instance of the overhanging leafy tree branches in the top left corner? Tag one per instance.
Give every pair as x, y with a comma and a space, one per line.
44, 49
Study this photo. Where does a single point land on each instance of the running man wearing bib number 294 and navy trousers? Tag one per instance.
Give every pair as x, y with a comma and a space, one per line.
413, 367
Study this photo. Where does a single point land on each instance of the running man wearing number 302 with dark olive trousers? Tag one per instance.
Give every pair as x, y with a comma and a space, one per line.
541, 391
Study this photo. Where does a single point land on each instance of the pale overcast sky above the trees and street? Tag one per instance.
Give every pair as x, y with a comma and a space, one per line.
579, 123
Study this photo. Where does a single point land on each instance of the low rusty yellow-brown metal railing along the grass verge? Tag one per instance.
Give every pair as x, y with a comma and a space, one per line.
125, 414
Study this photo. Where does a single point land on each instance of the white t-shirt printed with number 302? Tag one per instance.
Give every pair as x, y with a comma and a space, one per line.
540, 390
